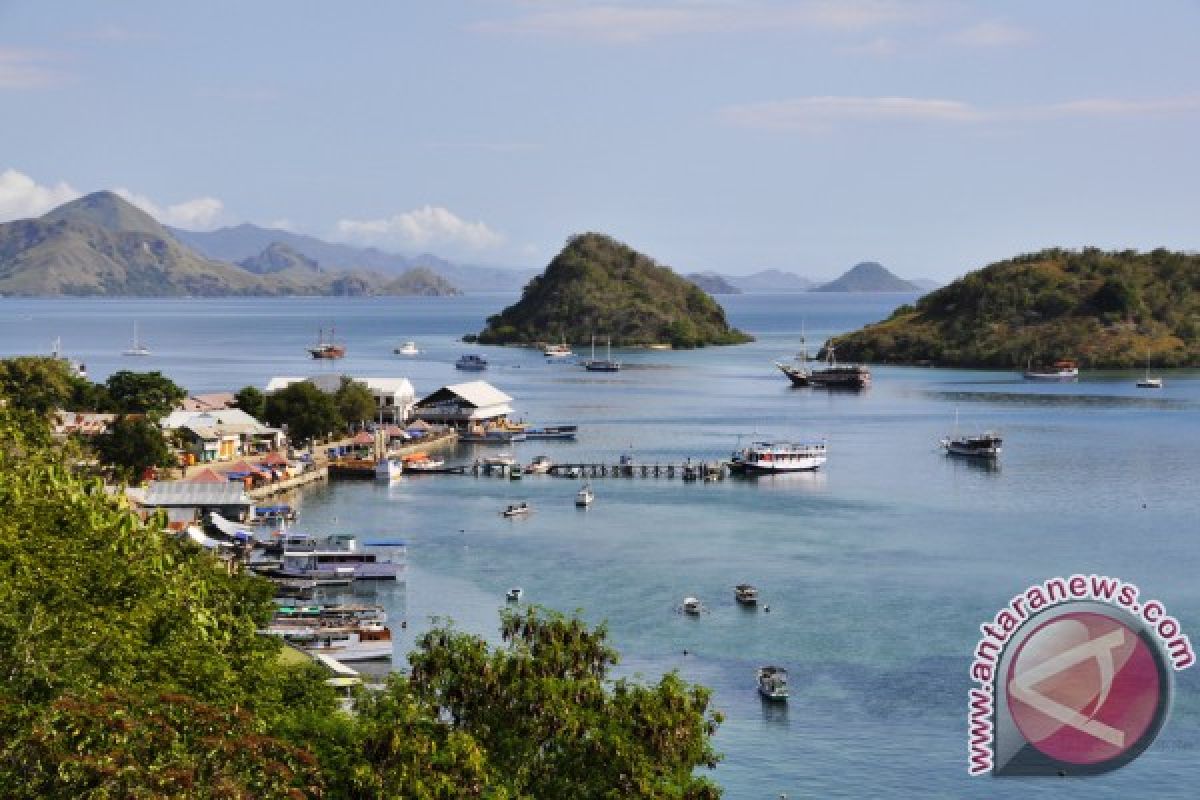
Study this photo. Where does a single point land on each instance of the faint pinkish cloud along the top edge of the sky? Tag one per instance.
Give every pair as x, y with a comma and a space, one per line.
639, 22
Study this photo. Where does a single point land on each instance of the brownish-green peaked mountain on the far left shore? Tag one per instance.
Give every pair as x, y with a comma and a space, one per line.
103, 245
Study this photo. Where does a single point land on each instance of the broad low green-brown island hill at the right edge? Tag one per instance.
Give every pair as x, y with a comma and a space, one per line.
1102, 309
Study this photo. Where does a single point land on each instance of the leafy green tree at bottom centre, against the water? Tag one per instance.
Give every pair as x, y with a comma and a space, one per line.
551, 721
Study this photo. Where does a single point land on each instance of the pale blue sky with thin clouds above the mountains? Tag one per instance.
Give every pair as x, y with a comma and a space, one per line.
933, 136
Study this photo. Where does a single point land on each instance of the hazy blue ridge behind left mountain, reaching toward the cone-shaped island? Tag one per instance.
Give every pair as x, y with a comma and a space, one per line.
245, 242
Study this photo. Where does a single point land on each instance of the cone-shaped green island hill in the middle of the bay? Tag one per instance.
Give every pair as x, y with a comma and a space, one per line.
601, 287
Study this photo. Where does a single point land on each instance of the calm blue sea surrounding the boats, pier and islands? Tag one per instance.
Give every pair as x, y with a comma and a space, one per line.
878, 570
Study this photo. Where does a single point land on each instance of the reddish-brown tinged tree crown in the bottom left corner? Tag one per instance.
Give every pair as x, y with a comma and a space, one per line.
129, 744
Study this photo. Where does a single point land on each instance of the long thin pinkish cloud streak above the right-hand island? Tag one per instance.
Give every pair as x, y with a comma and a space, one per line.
815, 115
